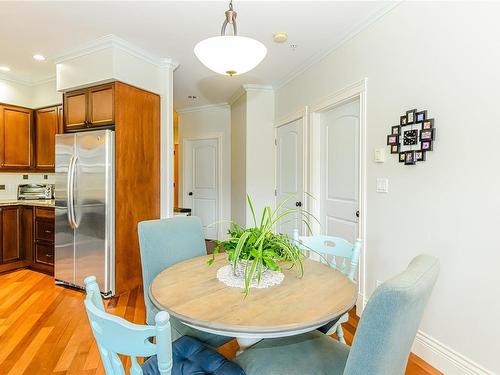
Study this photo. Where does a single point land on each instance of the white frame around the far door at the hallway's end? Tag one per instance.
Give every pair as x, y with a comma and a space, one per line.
217, 137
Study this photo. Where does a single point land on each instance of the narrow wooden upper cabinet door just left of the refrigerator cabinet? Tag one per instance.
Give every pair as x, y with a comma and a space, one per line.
46, 126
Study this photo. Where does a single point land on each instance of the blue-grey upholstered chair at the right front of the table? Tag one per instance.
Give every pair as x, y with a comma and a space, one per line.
382, 342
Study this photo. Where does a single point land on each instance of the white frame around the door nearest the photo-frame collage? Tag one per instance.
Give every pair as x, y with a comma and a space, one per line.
358, 91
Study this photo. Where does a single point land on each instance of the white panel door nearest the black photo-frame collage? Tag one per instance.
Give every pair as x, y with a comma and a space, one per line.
340, 171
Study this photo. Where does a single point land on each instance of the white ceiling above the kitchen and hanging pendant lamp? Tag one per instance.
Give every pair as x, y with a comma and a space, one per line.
172, 28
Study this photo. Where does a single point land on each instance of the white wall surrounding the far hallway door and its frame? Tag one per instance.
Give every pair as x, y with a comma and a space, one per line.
205, 123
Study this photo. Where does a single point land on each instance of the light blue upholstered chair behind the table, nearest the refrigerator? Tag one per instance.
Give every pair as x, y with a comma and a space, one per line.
164, 243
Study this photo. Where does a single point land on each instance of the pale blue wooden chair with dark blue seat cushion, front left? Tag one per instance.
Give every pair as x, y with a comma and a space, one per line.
115, 335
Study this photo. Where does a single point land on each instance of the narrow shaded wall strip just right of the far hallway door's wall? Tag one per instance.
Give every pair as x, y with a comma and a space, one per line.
238, 160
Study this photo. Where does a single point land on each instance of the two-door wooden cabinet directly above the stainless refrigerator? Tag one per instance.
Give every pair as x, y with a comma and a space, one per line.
88, 108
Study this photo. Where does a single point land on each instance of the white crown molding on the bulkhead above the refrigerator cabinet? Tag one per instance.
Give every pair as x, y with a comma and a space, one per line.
112, 41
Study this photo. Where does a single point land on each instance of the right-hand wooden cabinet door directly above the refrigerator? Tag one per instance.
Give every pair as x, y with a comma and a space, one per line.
101, 105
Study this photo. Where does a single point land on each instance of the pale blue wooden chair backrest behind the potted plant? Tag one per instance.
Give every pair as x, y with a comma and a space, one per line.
335, 251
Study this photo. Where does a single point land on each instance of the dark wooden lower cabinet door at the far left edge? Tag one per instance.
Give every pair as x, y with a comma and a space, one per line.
11, 249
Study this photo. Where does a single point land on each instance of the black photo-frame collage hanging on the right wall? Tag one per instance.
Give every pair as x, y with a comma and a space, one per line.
413, 137
